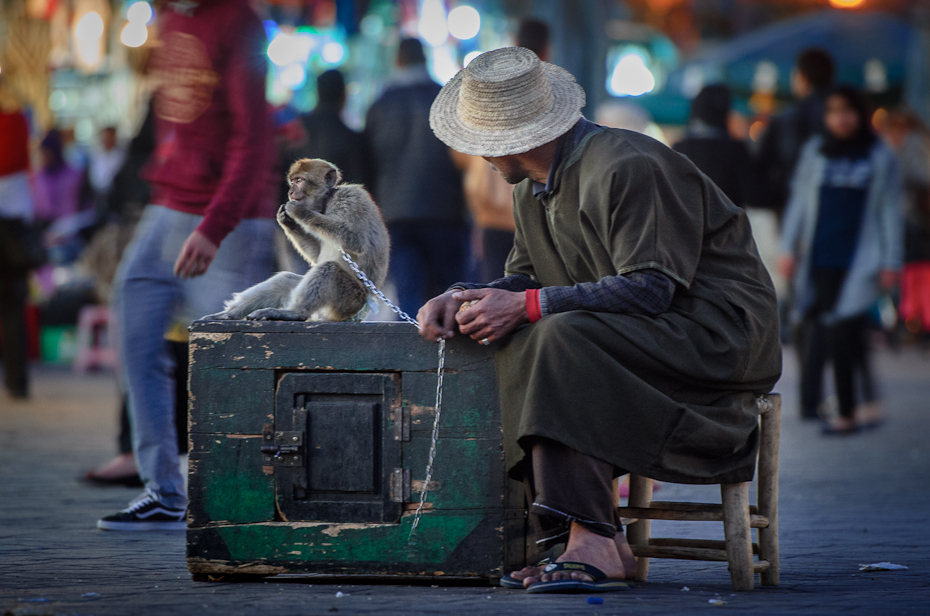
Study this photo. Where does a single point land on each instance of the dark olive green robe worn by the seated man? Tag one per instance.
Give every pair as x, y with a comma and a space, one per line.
670, 397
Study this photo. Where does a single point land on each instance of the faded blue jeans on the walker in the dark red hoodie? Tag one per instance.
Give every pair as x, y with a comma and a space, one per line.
148, 299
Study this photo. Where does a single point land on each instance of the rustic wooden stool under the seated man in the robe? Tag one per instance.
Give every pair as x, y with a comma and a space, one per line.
735, 512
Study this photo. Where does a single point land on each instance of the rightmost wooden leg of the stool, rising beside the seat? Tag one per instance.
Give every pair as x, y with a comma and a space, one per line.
768, 489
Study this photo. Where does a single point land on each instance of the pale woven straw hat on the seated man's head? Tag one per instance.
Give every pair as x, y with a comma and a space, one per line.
506, 102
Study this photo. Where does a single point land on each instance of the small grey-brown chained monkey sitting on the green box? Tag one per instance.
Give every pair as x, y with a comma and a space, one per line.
321, 217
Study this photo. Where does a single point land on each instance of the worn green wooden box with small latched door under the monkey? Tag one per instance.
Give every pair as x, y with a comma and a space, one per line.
309, 444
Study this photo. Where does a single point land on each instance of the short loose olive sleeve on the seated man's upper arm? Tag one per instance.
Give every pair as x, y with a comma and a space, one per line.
652, 215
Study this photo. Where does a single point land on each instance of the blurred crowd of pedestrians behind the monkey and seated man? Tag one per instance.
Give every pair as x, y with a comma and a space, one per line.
837, 194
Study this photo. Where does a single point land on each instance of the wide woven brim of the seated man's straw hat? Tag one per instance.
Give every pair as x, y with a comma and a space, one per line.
567, 100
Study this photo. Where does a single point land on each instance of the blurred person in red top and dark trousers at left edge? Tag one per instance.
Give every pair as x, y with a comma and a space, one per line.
16, 214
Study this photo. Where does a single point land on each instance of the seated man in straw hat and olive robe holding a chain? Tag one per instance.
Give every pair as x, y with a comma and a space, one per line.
636, 322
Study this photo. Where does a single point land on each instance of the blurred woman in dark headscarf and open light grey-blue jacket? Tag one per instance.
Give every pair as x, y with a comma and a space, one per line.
842, 244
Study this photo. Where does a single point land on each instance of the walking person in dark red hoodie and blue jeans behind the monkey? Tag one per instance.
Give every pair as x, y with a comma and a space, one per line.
208, 232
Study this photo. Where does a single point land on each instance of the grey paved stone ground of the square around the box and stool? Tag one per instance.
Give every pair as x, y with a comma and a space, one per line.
845, 501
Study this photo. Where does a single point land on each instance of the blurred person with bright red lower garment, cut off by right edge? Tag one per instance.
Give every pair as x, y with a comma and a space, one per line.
911, 141
